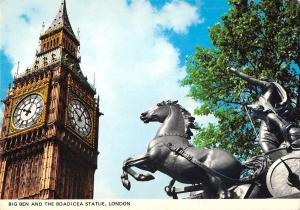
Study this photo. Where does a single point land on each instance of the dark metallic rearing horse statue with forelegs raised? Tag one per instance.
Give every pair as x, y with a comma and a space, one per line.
171, 153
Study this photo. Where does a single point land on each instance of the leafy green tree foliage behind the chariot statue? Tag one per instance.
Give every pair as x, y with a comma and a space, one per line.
260, 38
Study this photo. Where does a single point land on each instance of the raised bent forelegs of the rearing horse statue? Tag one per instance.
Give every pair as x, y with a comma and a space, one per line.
139, 163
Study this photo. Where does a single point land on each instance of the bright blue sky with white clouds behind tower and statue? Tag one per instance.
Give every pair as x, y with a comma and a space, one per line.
137, 50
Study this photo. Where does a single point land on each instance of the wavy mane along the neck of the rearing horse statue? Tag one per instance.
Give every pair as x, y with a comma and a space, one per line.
189, 120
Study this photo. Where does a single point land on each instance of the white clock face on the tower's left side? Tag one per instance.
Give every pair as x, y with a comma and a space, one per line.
28, 111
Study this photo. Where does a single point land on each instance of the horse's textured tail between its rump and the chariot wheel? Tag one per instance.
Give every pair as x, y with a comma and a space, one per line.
253, 169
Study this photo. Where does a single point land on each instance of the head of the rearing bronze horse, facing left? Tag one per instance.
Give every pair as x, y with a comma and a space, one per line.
157, 113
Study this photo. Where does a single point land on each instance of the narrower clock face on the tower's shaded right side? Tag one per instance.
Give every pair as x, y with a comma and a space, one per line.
79, 118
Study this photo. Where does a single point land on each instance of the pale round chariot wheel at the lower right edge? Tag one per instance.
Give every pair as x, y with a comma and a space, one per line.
283, 178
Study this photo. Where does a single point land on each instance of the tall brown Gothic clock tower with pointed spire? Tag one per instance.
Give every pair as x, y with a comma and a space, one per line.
49, 139
